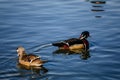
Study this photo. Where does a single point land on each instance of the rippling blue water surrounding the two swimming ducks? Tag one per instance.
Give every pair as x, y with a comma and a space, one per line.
37, 23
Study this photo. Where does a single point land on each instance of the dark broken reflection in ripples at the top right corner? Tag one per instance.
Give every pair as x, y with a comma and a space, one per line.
97, 6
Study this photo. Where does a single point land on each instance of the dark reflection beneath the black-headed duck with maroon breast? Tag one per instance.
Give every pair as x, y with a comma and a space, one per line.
83, 53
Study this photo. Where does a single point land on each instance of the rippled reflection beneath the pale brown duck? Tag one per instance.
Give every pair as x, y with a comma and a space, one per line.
34, 72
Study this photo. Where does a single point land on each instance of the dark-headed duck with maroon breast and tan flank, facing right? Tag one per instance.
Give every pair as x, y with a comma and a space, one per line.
74, 43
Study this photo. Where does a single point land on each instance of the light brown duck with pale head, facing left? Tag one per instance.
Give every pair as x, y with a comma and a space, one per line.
28, 59
